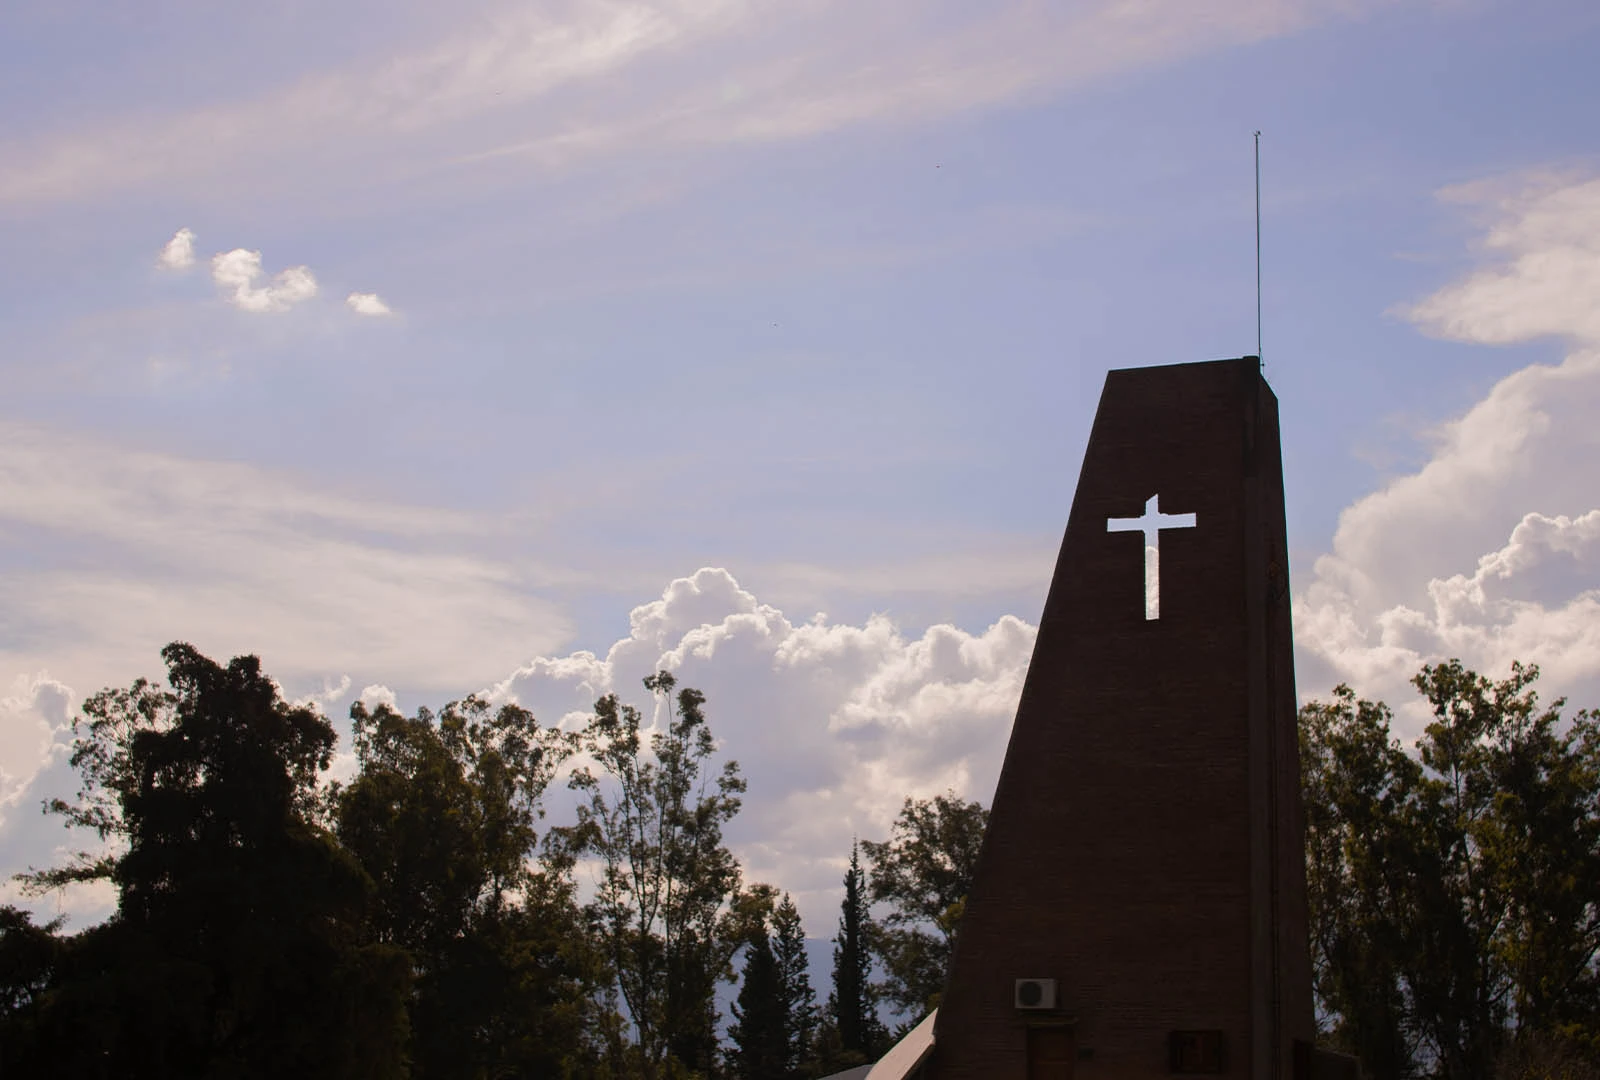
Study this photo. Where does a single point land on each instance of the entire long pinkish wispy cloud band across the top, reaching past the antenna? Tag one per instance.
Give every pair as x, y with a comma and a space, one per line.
606, 78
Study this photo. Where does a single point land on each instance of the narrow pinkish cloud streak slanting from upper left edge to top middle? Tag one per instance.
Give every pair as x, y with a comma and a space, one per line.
502, 63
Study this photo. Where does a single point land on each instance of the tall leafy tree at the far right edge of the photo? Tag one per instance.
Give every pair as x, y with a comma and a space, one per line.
1511, 814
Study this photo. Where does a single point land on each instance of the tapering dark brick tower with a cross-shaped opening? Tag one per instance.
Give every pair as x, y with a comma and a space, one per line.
1140, 905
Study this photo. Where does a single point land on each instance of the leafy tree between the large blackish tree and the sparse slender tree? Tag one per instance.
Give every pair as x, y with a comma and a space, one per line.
442, 817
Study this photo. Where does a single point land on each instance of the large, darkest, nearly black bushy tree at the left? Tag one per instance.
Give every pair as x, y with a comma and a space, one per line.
238, 943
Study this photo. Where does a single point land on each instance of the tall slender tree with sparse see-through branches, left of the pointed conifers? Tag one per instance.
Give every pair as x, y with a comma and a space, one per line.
670, 906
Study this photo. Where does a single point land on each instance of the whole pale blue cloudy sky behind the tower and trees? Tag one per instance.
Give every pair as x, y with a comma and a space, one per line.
526, 350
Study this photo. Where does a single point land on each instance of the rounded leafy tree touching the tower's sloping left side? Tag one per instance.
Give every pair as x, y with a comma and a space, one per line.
924, 873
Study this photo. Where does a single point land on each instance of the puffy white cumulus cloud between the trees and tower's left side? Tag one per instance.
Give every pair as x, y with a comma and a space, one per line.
834, 724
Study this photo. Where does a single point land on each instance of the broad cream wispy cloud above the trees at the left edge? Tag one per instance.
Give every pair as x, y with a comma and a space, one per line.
151, 548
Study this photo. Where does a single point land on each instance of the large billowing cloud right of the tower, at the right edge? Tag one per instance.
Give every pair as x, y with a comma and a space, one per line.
1490, 551
